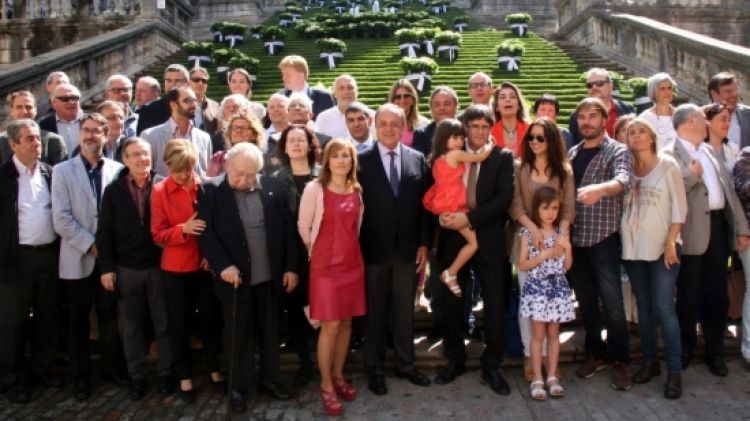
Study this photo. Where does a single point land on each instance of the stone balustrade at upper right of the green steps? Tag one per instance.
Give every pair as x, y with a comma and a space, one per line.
647, 46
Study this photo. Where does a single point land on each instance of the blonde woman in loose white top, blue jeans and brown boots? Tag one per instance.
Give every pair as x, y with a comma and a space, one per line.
653, 216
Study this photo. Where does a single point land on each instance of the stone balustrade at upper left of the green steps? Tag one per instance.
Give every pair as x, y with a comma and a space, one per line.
89, 63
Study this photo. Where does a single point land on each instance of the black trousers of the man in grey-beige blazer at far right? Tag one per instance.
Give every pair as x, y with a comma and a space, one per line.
702, 287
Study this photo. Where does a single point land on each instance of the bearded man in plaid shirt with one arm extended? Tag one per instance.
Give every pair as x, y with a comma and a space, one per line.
602, 168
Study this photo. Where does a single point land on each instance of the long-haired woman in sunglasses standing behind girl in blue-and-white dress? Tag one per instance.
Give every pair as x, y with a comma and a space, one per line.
544, 162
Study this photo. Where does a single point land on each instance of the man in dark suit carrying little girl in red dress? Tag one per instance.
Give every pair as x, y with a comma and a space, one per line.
489, 191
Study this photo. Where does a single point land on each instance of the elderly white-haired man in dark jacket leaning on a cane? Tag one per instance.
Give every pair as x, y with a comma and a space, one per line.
250, 242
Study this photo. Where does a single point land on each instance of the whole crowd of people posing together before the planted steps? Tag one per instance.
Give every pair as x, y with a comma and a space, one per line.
175, 214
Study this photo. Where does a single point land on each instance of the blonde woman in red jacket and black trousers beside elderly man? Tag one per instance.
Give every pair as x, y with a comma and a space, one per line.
175, 227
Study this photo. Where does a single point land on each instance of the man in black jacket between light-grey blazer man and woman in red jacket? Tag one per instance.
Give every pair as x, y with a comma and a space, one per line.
129, 262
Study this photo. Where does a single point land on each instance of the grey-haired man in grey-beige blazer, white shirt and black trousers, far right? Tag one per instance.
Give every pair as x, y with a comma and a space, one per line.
714, 228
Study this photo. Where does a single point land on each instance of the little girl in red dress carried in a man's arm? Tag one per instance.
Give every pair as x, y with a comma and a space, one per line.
448, 194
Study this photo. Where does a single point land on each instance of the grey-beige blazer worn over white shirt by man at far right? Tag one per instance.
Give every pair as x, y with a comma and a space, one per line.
697, 229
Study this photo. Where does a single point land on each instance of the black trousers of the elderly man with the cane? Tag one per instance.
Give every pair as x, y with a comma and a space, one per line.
256, 322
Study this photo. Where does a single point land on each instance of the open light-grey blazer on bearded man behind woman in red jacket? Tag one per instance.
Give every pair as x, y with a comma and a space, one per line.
158, 136
